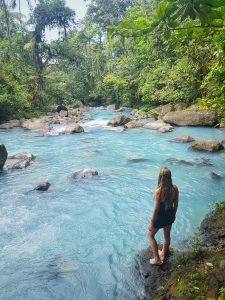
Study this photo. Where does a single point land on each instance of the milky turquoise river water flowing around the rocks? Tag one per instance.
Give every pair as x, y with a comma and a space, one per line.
78, 240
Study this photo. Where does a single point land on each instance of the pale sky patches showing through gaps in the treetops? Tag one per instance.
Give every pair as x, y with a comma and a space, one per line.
78, 5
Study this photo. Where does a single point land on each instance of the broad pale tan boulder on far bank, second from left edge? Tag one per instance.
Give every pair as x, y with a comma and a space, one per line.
37, 124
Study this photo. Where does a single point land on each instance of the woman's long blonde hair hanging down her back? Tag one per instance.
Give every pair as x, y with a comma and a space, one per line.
165, 185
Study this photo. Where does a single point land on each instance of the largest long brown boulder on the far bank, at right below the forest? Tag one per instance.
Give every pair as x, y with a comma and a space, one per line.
191, 117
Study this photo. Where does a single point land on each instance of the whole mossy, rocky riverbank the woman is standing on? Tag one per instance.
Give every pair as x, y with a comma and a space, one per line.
198, 273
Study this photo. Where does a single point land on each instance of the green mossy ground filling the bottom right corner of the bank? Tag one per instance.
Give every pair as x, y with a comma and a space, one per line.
196, 278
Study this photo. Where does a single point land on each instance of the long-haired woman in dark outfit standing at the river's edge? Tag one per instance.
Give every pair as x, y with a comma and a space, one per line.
164, 214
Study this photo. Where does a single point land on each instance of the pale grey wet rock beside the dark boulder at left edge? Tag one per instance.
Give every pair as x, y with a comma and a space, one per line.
19, 161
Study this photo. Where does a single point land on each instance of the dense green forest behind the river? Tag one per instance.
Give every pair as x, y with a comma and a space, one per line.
140, 53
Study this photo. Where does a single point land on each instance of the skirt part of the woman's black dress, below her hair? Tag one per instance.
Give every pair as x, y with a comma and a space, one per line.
164, 217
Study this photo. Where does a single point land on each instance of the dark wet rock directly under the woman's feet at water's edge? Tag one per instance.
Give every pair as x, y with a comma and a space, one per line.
152, 276
